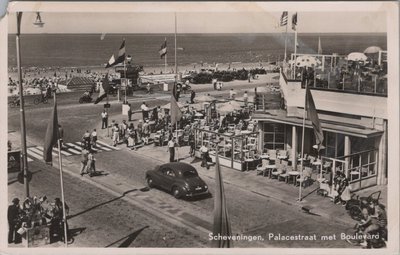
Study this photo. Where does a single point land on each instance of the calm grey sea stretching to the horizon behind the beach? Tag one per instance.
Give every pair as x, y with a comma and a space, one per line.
82, 50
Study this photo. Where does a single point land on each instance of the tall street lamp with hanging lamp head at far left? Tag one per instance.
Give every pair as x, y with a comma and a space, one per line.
21, 99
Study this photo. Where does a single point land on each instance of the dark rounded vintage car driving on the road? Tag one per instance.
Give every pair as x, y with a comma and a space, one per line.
181, 179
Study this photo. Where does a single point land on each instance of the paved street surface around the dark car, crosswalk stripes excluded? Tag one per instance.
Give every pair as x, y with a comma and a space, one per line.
116, 209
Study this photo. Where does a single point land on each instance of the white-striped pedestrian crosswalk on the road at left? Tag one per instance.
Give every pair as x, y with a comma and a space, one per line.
69, 149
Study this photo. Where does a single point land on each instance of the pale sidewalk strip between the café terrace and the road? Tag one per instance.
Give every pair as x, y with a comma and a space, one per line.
263, 186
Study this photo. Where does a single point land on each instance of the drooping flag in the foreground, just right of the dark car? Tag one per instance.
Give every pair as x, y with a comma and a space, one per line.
222, 226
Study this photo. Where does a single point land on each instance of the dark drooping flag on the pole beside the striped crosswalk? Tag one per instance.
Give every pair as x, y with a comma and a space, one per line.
51, 135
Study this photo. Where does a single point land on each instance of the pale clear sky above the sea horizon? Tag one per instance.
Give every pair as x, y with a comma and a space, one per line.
215, 21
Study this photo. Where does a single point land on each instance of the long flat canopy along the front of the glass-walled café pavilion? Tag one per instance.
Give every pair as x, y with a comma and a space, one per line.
345, 128
